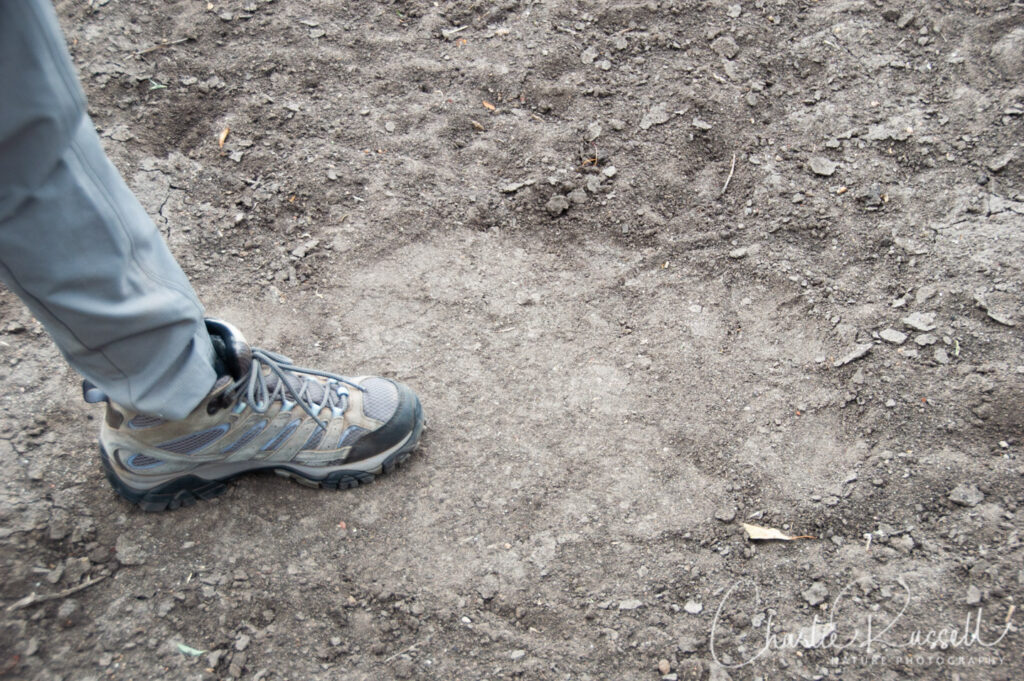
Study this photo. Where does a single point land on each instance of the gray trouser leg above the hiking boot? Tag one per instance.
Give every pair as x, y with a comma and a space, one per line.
76, 245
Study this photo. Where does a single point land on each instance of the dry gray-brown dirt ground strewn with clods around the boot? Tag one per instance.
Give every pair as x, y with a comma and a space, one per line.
657, 270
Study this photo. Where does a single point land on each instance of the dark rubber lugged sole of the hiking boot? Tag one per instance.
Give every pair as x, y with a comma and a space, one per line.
190, 489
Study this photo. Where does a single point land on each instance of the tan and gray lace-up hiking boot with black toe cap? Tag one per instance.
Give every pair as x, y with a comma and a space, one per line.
265, 413
